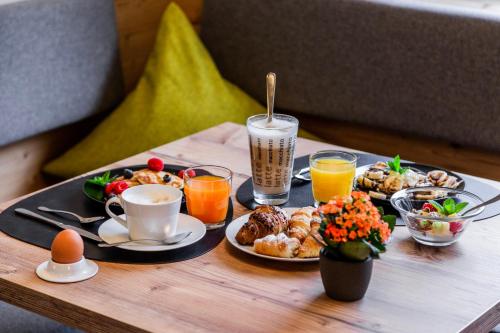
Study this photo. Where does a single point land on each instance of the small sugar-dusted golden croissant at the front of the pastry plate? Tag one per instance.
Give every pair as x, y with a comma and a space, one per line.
277, 246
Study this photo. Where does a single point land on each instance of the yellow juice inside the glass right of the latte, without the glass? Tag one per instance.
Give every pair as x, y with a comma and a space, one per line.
331, 177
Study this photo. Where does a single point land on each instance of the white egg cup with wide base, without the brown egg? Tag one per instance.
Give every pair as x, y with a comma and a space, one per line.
66, 273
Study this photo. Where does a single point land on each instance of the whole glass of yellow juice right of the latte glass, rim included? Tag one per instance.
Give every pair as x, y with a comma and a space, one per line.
332, 173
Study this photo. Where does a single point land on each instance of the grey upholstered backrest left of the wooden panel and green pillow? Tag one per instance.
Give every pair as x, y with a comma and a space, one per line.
58, 64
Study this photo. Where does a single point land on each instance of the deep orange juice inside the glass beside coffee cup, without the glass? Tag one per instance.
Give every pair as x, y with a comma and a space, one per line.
207, 198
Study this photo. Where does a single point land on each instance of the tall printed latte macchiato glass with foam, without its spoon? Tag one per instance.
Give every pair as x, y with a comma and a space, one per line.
272, 147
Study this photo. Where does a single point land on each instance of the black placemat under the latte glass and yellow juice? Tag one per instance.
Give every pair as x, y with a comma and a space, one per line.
301, 193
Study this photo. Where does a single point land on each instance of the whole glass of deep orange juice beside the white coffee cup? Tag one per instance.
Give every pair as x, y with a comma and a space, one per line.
207, 189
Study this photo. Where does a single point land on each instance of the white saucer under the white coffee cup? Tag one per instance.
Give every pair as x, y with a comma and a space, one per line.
113, 232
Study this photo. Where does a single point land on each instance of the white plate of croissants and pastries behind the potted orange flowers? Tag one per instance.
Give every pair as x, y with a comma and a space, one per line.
284, 234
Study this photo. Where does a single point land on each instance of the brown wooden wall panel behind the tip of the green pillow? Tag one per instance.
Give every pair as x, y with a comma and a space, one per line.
137, 22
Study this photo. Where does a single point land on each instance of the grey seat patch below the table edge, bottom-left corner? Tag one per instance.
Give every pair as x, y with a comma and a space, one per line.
17, 320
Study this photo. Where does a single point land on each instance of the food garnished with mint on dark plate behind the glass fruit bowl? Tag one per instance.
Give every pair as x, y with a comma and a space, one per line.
383, 179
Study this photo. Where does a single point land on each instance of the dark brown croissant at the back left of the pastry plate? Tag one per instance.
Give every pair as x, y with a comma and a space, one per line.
265, 220
